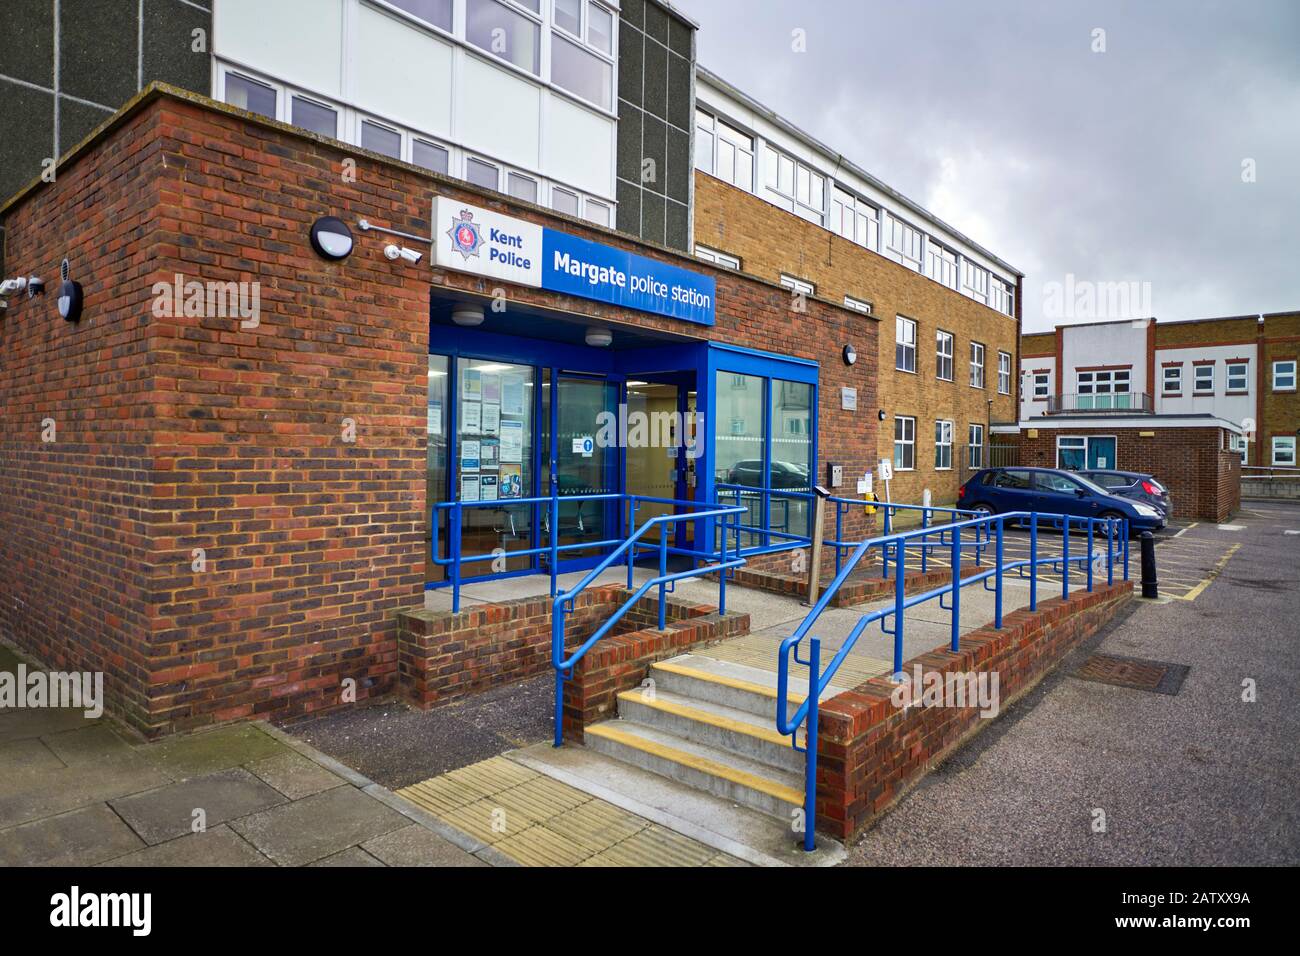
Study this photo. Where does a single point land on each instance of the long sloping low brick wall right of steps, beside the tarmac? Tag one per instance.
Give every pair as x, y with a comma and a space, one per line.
870, 752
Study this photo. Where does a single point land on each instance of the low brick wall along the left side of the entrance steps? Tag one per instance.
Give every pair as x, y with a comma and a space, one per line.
623, 661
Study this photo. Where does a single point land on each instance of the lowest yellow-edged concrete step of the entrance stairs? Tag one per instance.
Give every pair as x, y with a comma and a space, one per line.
730, 776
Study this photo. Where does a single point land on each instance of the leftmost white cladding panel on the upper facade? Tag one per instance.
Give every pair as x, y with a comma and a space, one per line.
297, 41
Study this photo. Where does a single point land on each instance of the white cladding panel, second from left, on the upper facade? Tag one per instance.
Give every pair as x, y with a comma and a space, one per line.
402, 73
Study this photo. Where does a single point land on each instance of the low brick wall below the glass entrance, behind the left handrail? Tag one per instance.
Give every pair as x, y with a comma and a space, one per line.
444, 656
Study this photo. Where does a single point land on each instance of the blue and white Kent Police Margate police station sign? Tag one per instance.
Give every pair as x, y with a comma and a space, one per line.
469, 239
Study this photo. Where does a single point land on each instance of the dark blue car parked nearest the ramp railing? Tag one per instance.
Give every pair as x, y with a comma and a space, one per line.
995, 491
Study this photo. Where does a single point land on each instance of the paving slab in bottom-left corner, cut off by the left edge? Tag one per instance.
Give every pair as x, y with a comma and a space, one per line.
81, 838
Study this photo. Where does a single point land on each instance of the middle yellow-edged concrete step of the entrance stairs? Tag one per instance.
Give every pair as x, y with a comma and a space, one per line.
714, 725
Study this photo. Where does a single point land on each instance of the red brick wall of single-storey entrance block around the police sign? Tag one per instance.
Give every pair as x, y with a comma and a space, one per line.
187, 432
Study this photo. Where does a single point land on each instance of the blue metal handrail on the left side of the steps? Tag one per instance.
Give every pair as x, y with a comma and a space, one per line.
564, 604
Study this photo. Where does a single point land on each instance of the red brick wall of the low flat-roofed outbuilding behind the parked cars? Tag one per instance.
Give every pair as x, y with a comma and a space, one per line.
1202, 477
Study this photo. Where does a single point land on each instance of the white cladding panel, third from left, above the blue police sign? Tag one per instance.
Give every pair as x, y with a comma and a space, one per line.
500, 114
